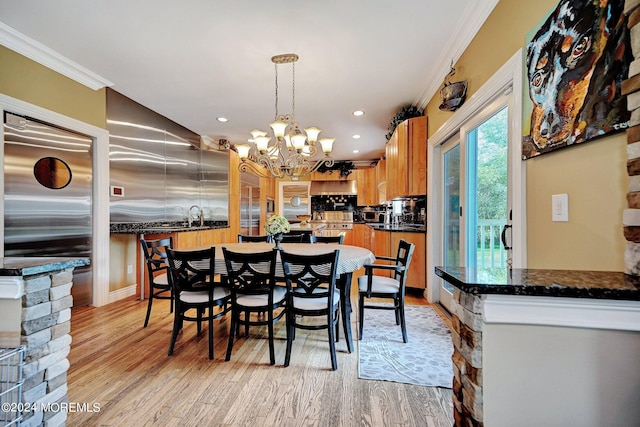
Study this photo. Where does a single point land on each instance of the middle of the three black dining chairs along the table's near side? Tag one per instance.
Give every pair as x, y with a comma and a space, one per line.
254, 292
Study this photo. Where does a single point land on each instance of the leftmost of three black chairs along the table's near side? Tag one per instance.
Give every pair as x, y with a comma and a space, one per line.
192, 277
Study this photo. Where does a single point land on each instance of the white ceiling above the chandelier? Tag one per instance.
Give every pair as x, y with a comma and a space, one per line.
193, 61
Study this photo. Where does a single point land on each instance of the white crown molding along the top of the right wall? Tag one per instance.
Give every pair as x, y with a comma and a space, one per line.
460, 39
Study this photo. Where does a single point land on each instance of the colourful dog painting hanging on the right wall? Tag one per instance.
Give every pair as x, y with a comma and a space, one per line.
575, 65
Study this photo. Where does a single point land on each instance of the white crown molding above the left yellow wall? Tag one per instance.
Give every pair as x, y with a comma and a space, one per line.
18, 42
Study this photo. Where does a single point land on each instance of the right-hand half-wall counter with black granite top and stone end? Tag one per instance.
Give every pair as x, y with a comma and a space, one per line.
545, 347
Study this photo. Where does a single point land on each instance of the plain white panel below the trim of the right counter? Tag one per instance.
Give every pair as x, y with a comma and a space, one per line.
560, 376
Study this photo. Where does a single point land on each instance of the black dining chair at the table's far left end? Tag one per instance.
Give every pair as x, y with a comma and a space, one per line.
155, 256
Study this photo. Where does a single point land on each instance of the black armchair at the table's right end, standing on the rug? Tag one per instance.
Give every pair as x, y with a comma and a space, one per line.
375, 286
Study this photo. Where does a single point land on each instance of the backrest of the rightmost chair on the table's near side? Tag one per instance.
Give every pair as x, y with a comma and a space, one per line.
313, 276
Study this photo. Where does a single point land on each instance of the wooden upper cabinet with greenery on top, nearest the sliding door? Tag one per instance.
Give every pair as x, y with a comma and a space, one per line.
406, 153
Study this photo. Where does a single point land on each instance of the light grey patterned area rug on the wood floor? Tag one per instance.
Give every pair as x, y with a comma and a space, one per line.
425, 360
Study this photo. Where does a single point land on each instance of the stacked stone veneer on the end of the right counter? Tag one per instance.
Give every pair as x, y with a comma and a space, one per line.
467, 359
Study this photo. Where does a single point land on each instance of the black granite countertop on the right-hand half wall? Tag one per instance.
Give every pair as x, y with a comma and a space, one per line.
534, 282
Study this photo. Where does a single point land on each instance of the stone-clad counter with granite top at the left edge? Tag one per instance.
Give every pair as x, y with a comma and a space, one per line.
35, 316
